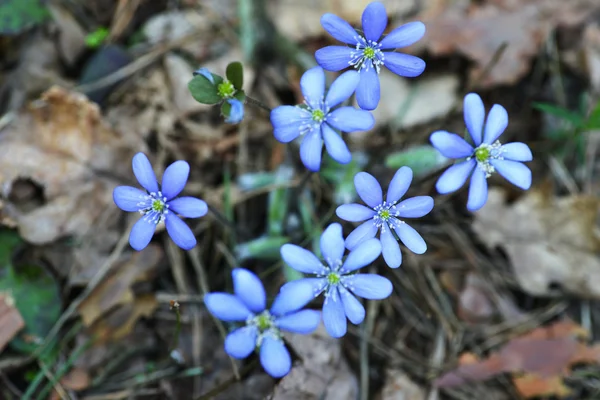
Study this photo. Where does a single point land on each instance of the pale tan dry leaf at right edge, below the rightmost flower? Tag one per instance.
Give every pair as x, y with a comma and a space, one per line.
549, 241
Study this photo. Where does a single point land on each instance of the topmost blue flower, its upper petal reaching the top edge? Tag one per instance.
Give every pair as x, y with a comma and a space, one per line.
368, 52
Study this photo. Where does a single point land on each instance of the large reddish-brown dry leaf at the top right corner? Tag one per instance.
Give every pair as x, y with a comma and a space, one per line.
478, 31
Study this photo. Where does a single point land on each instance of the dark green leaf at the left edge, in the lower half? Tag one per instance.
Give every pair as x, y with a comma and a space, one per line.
35, 292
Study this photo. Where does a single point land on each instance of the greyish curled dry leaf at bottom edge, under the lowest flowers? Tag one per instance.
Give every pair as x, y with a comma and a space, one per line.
322, 374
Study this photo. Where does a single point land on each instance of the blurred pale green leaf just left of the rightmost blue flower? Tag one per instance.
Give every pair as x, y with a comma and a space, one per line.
421, 159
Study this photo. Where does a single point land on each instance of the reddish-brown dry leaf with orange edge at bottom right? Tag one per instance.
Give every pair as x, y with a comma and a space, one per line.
538, 360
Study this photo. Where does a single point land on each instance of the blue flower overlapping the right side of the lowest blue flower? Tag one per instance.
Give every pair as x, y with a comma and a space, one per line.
335, 277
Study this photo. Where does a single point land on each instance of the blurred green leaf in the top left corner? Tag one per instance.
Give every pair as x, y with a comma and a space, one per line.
19, 15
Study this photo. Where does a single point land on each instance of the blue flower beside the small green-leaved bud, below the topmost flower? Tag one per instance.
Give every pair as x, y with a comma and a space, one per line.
318, 122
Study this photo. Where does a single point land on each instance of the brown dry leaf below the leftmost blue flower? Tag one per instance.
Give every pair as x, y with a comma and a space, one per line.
112, 309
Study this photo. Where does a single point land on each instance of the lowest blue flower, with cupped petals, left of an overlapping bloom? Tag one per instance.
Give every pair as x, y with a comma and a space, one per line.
262, 327
